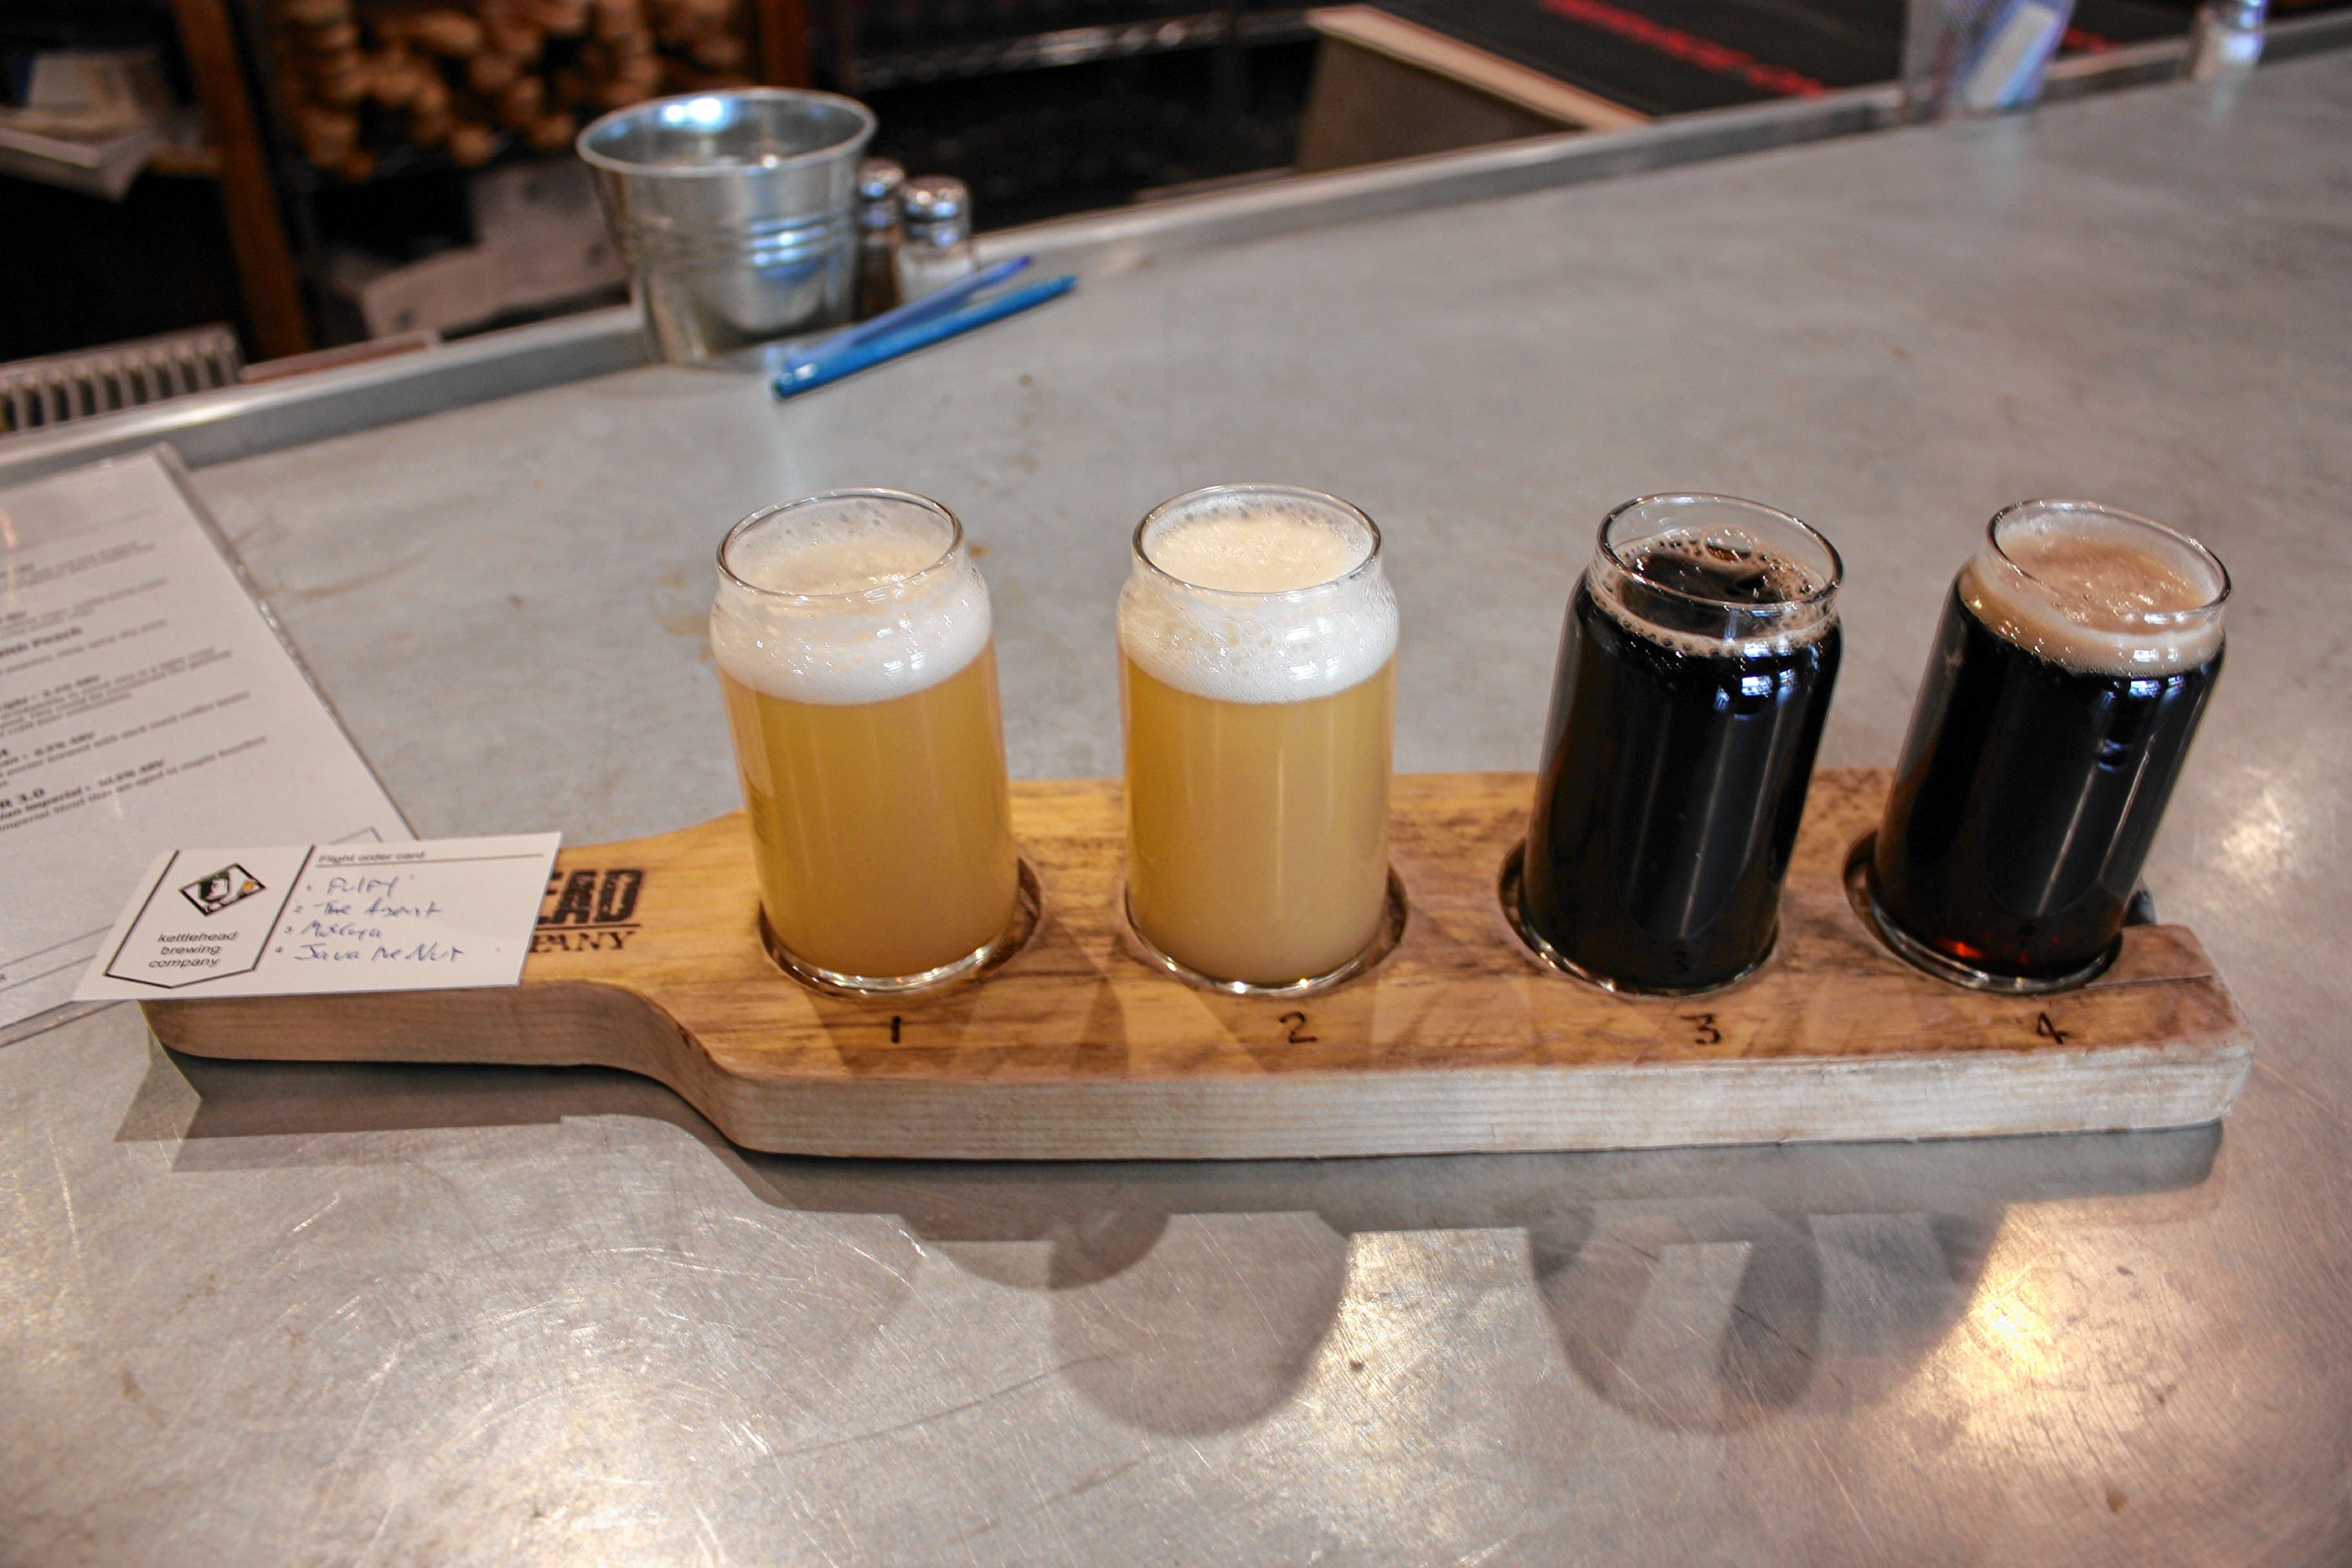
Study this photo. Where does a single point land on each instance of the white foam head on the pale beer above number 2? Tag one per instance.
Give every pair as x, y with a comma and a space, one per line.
1259, 594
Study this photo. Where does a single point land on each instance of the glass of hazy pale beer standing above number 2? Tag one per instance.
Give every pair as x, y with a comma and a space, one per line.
1257, 676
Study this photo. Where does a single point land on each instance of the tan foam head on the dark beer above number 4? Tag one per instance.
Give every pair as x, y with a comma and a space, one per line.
2097, 591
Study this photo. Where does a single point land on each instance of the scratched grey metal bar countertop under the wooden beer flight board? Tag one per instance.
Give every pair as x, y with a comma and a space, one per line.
314, 1315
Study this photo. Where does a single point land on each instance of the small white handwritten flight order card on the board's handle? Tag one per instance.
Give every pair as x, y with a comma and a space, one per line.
326, 918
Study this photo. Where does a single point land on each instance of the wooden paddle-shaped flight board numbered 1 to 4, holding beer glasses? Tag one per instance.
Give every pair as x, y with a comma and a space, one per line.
648, 960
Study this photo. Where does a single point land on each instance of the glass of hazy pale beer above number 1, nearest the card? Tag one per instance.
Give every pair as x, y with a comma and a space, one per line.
853, 638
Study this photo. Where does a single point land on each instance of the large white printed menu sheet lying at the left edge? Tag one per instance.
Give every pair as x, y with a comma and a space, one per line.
145, 702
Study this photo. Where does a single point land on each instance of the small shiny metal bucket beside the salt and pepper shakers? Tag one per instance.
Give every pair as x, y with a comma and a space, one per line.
735, 213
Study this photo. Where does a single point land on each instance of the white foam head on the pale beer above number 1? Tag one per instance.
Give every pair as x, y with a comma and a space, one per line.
848, 598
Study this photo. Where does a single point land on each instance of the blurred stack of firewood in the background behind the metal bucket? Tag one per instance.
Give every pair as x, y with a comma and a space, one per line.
366, 79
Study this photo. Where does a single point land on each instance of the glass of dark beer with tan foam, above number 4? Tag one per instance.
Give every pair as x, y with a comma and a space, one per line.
2071, 669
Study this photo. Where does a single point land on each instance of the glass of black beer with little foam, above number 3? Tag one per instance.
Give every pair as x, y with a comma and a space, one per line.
1695, 676
